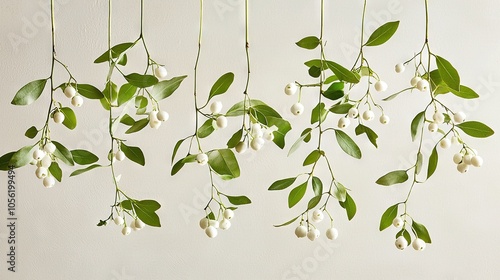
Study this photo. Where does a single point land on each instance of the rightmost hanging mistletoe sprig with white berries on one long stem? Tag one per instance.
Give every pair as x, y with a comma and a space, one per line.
439, 118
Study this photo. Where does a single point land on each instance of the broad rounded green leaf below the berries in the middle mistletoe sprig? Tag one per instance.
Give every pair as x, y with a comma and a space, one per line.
224, 163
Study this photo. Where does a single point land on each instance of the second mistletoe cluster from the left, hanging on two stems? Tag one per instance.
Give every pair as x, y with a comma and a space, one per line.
144, 91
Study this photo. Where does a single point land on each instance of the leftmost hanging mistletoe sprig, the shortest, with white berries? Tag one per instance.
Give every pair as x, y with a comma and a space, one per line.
47, 154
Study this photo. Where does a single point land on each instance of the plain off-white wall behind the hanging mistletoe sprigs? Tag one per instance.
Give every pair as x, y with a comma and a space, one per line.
56, 233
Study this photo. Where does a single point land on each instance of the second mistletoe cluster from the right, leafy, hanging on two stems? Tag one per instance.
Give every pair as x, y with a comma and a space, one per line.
349, 108
